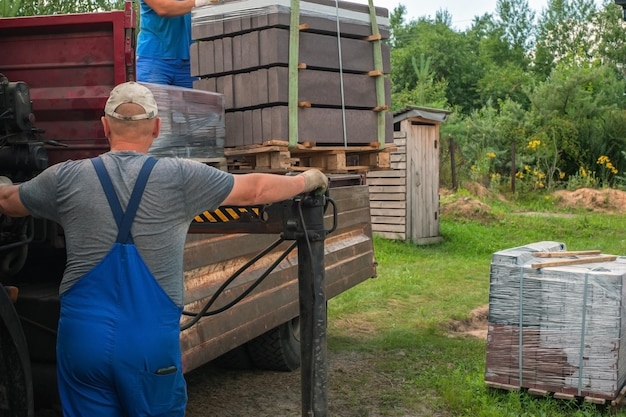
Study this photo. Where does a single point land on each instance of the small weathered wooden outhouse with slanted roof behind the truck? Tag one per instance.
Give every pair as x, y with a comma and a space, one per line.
404, 201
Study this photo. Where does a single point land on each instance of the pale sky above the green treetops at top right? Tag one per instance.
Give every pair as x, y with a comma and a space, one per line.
462, 11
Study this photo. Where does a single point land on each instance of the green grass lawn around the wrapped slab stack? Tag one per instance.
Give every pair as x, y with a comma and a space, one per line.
401, 319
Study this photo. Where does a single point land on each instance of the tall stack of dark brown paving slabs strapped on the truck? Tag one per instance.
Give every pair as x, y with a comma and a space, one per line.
241, 50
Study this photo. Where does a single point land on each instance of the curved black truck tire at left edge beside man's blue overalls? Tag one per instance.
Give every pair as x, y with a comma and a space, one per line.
16, 385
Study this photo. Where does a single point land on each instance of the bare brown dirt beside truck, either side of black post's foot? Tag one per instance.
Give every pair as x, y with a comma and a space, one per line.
223, 393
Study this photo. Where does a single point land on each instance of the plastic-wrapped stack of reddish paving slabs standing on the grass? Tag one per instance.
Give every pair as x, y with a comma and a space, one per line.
556, 329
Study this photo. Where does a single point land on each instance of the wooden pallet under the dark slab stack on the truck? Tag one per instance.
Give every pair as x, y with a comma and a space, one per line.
277, 156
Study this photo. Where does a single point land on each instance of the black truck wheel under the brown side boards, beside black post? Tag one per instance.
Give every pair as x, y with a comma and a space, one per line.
278, 349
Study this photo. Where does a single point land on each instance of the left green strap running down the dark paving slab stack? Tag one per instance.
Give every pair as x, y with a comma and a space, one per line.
294, 45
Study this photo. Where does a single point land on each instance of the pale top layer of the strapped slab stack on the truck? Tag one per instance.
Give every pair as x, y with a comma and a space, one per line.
317, 16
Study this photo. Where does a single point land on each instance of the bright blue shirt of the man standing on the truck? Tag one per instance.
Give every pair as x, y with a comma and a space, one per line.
163, 37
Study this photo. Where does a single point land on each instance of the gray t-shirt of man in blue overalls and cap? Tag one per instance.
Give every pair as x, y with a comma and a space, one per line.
70, 194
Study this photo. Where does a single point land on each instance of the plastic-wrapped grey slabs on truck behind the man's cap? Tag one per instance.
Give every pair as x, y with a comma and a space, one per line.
192, 123
